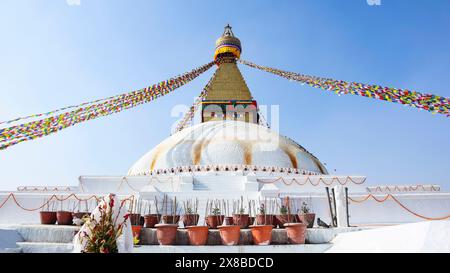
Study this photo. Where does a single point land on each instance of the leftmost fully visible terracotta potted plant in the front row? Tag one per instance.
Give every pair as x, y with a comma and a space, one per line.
166, 232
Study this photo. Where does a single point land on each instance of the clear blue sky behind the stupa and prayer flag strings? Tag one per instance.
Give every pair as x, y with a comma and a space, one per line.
54, 54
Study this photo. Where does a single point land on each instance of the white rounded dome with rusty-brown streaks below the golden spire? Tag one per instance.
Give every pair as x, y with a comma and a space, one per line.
227, 143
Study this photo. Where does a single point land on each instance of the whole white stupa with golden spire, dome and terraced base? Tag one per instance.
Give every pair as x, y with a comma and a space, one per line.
231, 154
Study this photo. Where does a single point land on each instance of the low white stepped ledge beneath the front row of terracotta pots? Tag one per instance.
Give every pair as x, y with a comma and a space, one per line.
54, 238
